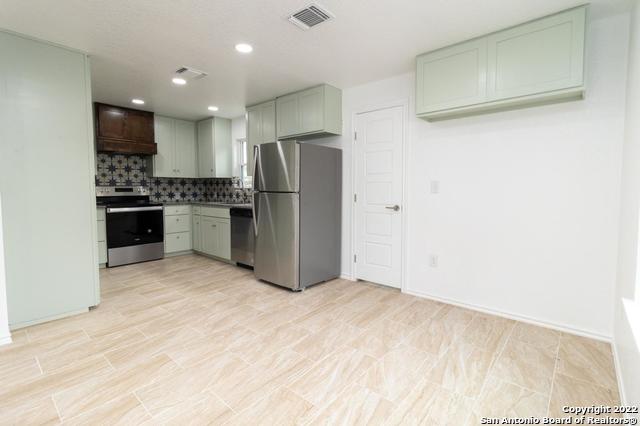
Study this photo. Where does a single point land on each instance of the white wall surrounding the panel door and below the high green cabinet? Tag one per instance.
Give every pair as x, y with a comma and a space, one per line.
526, 219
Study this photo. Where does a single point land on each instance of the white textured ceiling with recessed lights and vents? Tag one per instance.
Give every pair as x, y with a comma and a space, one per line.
137, 45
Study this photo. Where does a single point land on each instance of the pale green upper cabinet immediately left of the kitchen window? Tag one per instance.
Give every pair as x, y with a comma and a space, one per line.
215, 148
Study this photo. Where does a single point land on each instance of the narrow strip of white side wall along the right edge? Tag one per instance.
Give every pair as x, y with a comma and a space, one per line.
627, 350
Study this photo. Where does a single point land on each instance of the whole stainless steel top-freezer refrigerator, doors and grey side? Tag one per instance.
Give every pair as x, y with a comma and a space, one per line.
297, 213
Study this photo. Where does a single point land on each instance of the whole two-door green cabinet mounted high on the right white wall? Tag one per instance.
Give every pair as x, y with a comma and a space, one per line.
537, 62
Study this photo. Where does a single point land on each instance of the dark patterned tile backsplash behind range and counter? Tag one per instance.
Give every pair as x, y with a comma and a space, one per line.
131, 170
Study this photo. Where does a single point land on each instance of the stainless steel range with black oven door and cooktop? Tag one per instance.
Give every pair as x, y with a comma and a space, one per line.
135, 228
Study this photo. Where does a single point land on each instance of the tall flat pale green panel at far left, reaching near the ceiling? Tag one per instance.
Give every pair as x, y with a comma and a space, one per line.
47, 144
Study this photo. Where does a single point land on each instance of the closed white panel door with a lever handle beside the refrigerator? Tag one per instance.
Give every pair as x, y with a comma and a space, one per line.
378, 151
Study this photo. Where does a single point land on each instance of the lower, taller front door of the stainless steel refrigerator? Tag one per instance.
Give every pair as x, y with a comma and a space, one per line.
277, 238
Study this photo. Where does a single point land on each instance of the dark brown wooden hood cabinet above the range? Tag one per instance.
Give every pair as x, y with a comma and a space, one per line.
124, 130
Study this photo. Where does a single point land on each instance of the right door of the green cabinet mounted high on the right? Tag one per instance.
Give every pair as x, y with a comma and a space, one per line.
538, 57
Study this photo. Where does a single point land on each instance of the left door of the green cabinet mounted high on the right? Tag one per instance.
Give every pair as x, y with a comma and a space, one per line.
452, 77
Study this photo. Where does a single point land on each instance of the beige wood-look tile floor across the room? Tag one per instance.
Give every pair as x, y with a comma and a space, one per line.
189, 340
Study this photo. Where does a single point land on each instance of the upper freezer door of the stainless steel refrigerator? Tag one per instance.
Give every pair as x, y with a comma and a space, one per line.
277, 167
